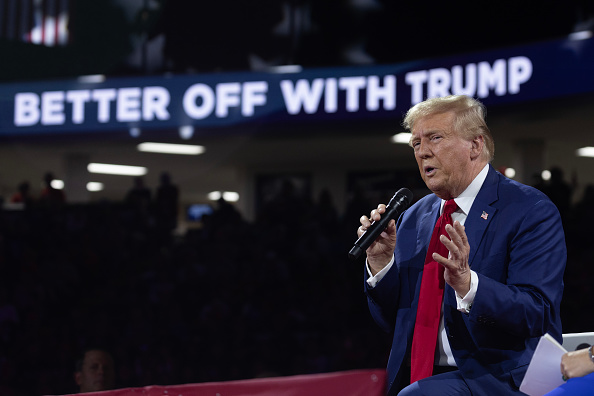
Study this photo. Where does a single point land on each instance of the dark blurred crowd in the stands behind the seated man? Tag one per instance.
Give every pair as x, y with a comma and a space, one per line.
227, 300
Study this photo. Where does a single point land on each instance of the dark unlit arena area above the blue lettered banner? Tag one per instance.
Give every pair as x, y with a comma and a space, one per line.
222, 35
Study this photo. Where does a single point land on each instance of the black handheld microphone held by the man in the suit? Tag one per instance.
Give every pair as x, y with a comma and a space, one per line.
398, 204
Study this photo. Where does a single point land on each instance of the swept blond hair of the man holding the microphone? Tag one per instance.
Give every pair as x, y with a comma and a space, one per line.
469, 122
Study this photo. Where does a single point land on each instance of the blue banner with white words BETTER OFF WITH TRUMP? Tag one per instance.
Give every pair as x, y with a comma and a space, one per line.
509, 75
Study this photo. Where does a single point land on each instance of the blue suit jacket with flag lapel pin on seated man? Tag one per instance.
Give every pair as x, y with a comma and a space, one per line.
517, 248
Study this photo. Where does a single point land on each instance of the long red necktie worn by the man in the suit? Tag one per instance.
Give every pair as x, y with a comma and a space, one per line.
430, 297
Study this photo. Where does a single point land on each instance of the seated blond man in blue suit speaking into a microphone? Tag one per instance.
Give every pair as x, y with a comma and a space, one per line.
503, 267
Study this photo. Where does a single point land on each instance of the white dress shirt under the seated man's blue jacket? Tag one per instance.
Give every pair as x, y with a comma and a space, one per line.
443, 353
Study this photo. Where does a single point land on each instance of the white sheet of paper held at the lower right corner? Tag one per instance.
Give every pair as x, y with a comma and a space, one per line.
544, 372
